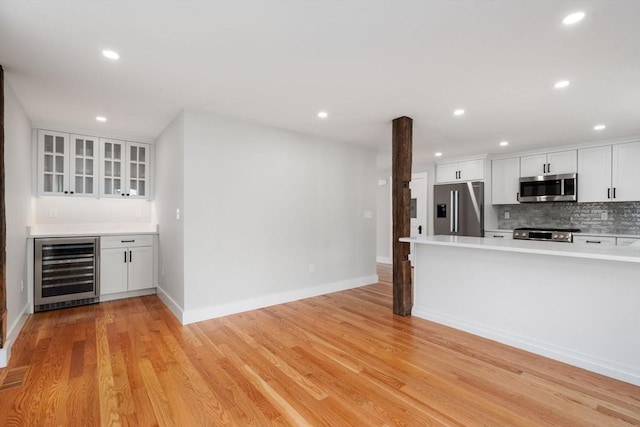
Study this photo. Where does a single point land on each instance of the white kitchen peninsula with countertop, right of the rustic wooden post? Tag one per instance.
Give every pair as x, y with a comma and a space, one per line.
579, 305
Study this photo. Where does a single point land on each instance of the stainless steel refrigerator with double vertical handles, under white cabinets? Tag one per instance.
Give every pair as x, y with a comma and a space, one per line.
459, 209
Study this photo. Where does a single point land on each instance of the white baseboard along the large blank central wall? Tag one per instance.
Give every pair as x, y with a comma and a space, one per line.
197, 315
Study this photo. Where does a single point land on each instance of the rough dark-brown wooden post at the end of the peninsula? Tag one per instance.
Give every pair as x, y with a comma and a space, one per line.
401, 203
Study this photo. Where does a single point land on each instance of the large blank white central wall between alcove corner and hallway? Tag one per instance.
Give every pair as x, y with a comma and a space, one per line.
261, 205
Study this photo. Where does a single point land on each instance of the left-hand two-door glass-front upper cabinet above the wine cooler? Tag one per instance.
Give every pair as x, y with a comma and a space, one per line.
66, 164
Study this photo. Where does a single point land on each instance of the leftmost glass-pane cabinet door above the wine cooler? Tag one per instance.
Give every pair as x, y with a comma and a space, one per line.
53, 163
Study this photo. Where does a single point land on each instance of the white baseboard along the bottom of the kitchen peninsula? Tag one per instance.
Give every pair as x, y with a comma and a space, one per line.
610, 369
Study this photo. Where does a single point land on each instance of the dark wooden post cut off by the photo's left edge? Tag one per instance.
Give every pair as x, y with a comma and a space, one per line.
3, 230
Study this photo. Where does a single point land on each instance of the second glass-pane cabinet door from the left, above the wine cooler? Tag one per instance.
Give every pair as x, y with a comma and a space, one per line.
83, 165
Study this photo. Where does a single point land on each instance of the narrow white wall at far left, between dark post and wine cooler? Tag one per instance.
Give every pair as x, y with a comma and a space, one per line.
17, 154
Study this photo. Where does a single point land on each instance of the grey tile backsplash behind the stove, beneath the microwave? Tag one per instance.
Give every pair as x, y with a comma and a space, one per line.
621, 217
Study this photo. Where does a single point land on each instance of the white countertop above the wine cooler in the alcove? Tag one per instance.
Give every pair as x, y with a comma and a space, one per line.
65, 230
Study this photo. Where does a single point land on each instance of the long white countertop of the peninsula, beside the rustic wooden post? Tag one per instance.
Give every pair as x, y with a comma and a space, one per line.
610, 253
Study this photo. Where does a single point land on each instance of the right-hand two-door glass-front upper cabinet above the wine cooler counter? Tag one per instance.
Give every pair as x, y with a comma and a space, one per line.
125, 169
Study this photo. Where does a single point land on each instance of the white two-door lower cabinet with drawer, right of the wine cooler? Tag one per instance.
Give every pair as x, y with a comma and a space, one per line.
126, 263
